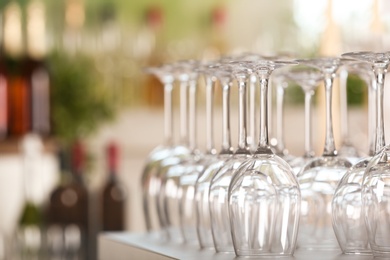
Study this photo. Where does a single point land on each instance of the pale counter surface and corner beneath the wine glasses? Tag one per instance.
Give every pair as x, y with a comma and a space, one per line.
123, 245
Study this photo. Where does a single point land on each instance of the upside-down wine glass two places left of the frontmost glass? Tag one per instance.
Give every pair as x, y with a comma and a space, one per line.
203, 182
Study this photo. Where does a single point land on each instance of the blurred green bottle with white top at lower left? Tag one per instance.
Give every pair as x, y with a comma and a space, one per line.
29, 234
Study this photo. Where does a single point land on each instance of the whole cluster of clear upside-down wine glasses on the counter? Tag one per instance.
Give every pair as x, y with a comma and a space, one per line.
252, 201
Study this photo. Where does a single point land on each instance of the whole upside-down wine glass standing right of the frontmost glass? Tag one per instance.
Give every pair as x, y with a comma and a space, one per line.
318, 179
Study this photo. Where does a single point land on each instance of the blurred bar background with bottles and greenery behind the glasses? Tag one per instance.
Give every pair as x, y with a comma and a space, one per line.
74, 97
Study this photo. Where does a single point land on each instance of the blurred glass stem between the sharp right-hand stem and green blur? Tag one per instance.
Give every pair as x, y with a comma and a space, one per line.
347, 149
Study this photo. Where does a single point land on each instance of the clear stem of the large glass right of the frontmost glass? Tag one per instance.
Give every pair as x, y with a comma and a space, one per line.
329, 149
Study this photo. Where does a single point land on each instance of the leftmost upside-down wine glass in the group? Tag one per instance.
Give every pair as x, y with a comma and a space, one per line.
150, 180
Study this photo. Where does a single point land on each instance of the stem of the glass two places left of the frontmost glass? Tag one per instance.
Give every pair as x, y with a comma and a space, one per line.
226, 137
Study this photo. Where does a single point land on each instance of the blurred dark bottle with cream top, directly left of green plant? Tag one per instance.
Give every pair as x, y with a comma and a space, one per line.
37, 72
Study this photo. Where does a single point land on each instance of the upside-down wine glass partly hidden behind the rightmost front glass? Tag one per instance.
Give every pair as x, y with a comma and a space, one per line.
347, 214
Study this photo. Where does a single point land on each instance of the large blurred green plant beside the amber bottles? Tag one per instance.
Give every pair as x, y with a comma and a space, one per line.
80, 103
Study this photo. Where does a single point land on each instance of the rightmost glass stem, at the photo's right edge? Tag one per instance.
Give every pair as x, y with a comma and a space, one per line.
380, 130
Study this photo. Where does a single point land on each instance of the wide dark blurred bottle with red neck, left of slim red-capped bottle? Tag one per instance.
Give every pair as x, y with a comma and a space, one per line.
67, 213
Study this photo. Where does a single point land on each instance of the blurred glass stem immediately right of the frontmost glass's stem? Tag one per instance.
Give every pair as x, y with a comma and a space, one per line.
279, 118
